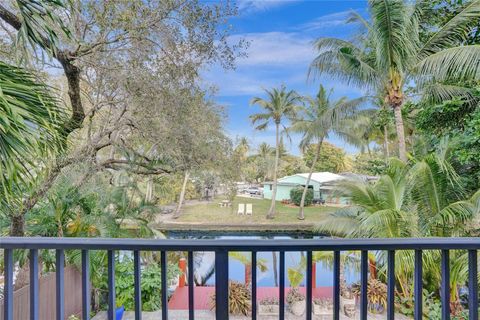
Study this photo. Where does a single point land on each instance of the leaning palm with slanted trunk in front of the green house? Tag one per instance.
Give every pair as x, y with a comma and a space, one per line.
320, 117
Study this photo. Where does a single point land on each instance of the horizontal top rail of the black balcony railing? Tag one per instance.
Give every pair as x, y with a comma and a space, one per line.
323, 244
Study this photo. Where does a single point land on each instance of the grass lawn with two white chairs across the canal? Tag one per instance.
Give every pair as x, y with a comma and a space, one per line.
212, 214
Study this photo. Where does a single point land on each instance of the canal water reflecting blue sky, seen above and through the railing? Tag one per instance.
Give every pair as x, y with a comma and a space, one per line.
204, 261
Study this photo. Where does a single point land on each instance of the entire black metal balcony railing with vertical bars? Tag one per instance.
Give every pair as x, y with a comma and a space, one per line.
221, 249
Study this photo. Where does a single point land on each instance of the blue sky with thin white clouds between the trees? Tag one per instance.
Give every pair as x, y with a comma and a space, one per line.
280, 33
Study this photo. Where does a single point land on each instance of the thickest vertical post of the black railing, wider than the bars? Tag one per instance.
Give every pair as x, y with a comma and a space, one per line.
221, 284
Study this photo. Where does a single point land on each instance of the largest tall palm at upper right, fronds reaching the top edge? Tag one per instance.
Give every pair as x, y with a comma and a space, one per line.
390, 55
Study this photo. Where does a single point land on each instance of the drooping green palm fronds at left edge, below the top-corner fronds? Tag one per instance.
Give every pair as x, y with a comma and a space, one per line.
31, 130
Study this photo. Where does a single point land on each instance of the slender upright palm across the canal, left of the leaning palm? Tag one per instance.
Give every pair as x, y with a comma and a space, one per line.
279, 105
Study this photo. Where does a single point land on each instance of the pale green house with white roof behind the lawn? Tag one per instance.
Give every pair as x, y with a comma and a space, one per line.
322, 184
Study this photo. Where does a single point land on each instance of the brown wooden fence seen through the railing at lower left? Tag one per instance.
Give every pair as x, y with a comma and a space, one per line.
46, 290
